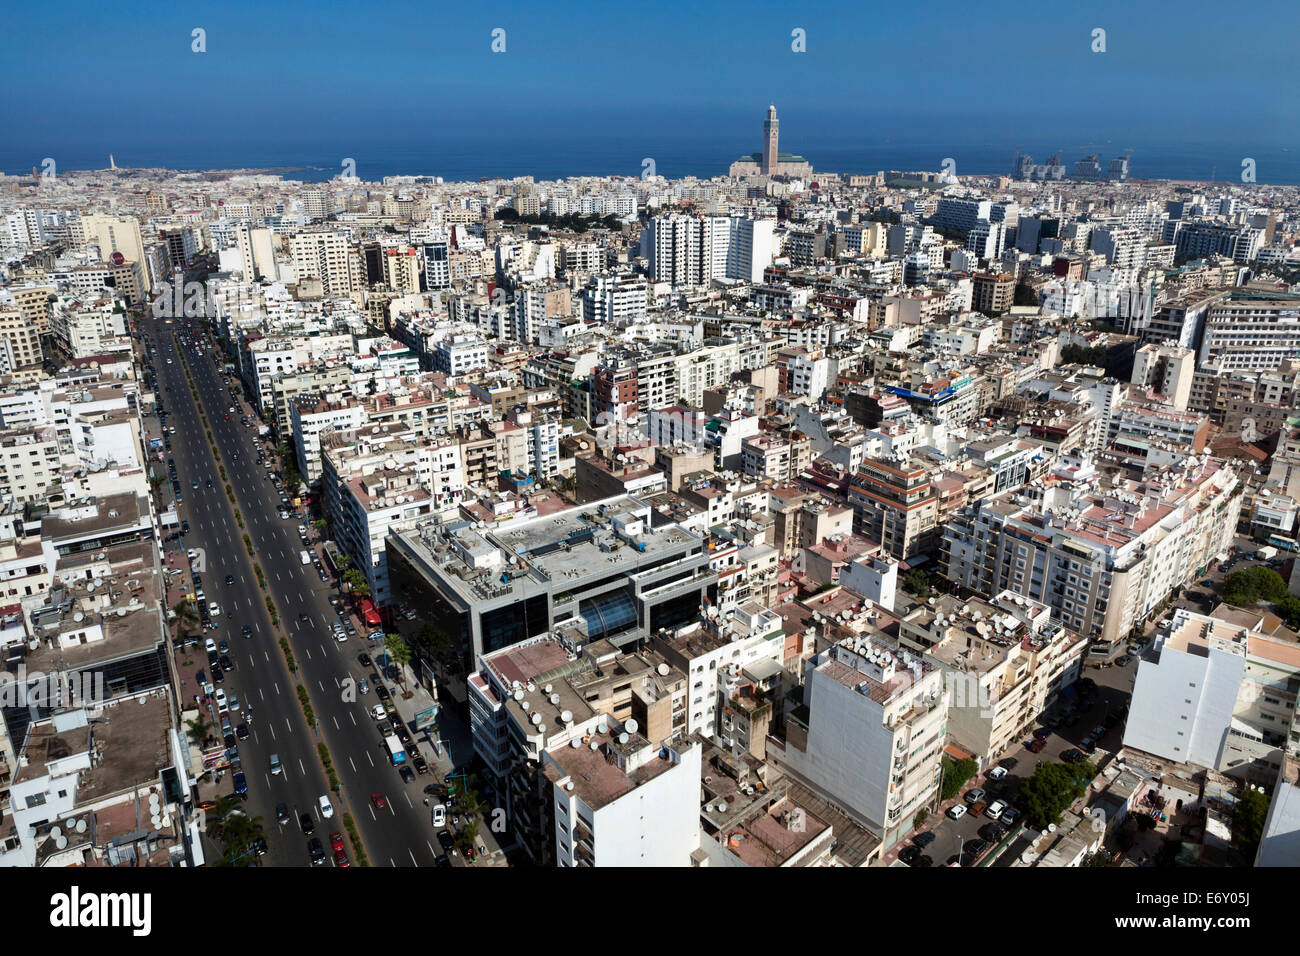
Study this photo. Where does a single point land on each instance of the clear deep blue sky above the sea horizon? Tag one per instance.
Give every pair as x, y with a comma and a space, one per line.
298, 73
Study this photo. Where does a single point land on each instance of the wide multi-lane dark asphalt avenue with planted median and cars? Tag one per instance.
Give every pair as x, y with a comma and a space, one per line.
397, 836
